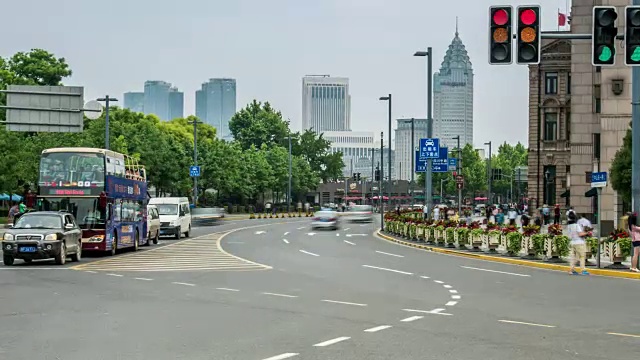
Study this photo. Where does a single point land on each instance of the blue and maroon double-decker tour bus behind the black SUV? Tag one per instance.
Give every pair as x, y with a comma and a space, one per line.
105, 191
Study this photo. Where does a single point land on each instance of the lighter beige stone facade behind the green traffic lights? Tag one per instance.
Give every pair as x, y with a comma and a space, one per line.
600, 113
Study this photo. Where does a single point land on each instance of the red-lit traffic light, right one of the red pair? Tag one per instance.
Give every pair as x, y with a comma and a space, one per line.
528, 36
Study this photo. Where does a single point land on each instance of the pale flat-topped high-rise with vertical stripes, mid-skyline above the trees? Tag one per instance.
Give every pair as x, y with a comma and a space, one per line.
326, 103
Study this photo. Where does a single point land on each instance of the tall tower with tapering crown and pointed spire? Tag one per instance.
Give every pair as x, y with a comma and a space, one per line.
453, 96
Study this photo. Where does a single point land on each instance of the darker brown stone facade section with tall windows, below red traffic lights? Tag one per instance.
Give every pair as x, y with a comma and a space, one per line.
550, 125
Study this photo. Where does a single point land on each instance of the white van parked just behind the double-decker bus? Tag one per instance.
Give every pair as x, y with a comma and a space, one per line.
175, 215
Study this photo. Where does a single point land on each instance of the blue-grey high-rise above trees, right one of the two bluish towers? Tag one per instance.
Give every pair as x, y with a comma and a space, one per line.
216, 105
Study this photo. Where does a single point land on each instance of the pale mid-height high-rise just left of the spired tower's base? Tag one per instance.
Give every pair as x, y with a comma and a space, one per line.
403, 151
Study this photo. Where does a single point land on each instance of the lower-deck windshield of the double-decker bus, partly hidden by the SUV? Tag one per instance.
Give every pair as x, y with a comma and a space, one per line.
87, 211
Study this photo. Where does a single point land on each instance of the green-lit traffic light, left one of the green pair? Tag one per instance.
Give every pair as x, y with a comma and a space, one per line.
604, 32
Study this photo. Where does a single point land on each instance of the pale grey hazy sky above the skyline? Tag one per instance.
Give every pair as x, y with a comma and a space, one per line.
268, 46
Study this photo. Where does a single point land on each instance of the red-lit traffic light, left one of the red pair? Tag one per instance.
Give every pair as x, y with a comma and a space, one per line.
500, 49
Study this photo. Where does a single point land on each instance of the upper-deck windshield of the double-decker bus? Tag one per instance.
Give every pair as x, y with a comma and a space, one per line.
64, 169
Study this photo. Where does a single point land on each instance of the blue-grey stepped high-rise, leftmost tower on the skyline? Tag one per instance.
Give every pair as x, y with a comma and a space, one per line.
163, 100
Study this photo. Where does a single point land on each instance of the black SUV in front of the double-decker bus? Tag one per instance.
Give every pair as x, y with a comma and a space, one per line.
43, 235
